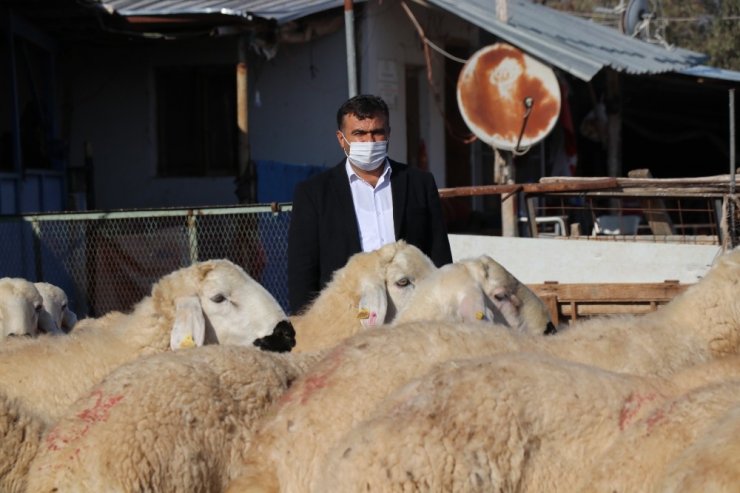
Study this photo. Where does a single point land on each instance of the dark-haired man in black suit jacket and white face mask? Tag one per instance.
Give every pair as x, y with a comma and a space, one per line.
363, 203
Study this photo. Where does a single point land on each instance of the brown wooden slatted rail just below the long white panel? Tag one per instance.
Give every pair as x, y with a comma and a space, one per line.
569, 302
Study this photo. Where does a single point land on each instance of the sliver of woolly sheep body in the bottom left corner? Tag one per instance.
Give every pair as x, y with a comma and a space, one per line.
20, 435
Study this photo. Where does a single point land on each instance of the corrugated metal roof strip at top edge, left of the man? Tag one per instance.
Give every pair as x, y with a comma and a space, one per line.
280, 10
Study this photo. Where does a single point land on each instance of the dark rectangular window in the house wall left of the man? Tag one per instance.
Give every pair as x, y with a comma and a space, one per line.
196, 121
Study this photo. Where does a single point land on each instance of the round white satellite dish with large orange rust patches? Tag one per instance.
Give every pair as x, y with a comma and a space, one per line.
507, 98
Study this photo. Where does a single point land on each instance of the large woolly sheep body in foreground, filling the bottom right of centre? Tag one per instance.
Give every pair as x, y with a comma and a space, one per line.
518, 422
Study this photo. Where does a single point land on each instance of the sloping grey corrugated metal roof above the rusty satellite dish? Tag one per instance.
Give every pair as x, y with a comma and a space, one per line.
578, 46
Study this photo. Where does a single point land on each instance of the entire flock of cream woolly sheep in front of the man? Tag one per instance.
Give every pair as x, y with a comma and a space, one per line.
399, 377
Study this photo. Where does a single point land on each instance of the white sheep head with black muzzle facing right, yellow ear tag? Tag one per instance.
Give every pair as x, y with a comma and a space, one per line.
216, 302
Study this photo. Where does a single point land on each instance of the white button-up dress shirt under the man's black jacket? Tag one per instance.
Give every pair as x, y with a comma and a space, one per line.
373, 208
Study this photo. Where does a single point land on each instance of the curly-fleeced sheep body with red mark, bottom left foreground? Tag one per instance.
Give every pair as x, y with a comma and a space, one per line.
167, 422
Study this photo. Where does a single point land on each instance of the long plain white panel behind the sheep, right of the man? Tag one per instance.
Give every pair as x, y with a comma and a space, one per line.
535, 261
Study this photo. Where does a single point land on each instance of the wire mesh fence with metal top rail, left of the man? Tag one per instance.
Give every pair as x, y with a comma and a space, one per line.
109, 260
